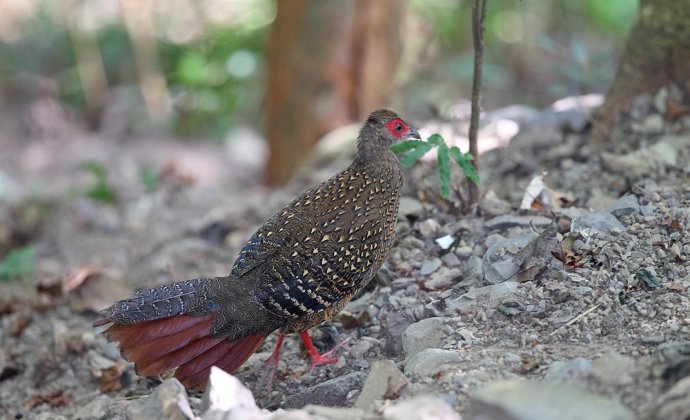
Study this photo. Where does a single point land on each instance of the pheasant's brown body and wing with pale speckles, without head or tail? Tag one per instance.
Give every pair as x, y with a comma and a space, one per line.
326, 245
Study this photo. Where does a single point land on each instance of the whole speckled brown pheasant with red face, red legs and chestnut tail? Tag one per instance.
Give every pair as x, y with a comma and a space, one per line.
298, 270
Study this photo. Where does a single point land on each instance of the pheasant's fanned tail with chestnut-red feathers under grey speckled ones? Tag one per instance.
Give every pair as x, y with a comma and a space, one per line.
169, 327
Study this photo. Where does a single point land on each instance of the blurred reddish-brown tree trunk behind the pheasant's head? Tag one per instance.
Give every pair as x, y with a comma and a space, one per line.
329, 63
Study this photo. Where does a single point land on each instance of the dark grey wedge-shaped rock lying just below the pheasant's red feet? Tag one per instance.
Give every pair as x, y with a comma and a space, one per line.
332, 393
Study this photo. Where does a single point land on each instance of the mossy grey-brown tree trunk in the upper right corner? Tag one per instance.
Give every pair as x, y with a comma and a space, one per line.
656, 54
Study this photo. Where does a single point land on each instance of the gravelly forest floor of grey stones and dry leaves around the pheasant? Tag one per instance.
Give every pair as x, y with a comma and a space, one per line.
498, 315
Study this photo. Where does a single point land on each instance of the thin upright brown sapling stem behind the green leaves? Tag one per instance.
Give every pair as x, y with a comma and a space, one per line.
478, 14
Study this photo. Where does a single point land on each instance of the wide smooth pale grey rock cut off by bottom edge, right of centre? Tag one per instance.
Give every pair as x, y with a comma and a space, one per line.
518, 400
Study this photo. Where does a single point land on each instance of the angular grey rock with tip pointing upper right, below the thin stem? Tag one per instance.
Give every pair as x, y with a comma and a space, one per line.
498, 264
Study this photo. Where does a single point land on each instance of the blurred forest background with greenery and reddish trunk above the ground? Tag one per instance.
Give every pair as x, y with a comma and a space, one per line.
285, 72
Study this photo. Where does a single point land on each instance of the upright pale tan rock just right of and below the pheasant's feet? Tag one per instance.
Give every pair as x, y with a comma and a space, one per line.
384, 381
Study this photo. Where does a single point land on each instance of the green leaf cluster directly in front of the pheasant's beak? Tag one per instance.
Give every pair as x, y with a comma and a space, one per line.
413, 150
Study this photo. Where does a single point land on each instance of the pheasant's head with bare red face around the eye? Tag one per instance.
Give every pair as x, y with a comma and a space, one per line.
382, 129
